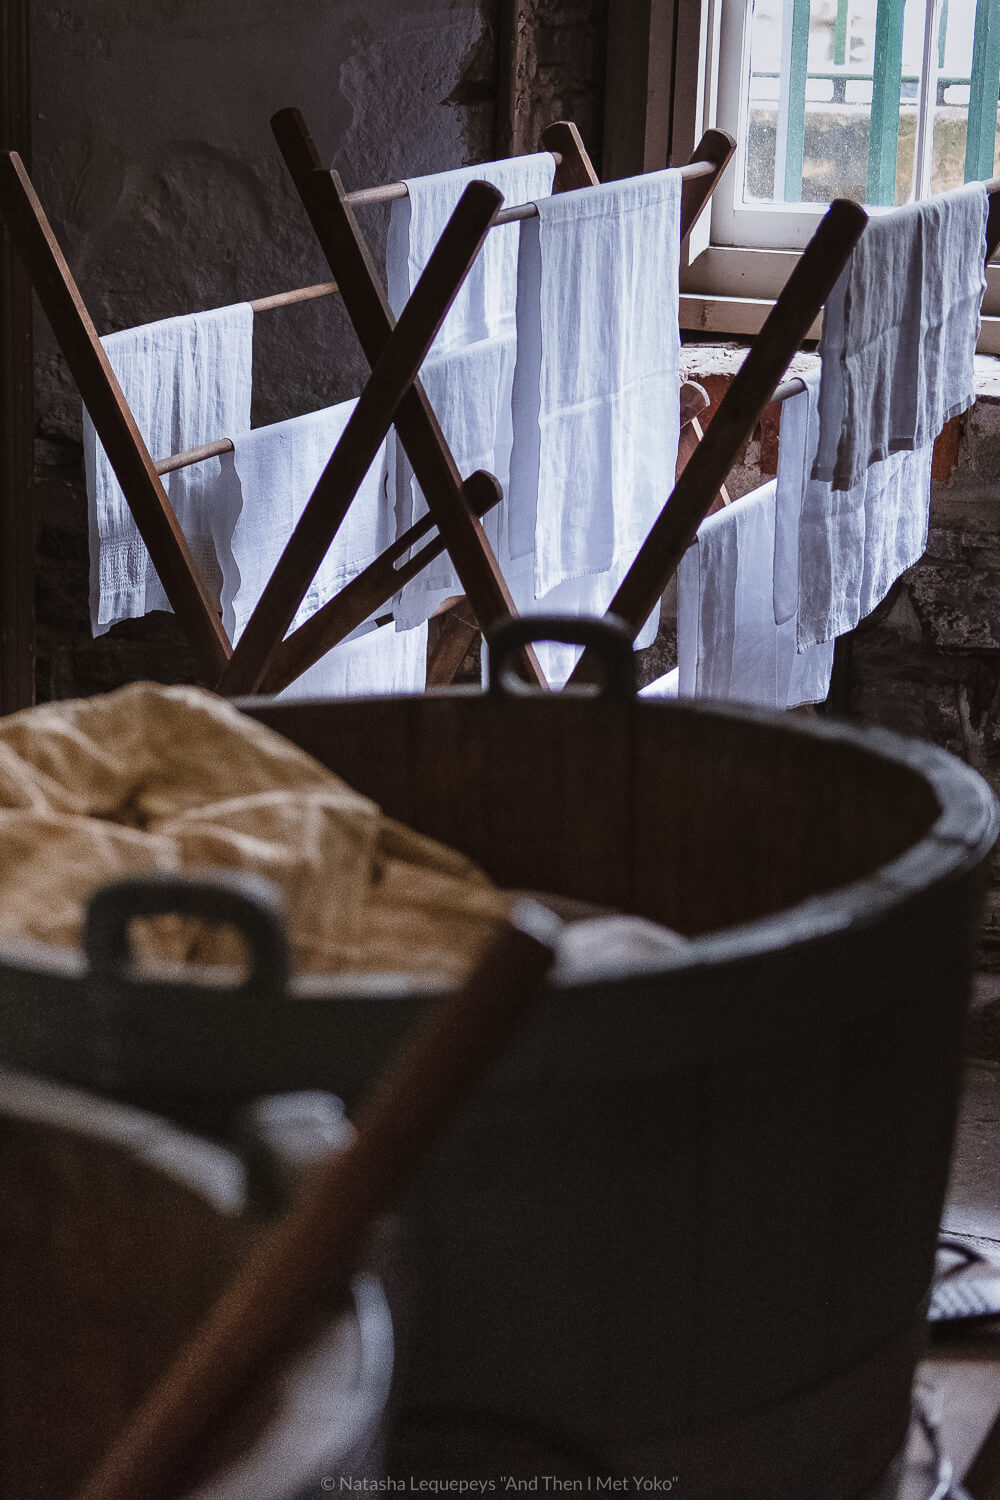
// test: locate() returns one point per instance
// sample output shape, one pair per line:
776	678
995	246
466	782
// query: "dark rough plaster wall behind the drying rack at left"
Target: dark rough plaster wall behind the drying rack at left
154	157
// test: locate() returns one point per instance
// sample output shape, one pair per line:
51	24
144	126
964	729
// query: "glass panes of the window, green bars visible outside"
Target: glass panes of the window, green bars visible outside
834	94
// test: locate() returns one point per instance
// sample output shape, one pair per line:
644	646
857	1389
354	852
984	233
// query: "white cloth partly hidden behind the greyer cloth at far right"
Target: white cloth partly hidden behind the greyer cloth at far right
839	551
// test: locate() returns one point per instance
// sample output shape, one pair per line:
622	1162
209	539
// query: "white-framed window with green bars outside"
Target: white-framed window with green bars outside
879	101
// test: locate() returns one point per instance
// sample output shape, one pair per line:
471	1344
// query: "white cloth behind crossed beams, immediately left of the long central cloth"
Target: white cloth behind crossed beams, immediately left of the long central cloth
470	371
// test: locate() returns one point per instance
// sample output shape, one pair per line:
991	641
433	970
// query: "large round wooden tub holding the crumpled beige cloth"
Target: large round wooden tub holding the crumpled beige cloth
689	1225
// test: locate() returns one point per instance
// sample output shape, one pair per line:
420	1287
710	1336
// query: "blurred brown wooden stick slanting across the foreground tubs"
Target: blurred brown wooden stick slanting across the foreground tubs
316	1246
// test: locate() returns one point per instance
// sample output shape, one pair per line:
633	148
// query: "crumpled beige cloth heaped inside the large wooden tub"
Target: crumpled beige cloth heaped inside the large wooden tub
176	779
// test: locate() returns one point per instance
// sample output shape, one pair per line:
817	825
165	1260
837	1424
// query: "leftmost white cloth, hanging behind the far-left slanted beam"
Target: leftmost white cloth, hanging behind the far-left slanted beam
187	382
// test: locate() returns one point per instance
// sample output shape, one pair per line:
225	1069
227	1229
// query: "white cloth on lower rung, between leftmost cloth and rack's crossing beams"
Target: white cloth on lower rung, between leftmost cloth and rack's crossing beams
272	473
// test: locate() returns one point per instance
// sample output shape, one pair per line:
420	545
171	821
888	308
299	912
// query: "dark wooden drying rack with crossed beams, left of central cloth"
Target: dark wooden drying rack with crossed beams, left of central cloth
266	659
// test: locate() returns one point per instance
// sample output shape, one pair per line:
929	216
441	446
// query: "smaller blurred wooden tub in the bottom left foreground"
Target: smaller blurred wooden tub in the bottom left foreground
118	1232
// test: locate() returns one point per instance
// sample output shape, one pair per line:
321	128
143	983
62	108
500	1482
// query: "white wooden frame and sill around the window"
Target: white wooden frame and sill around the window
731	287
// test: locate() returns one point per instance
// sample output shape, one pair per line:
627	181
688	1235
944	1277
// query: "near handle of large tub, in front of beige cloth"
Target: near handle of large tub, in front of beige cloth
245	902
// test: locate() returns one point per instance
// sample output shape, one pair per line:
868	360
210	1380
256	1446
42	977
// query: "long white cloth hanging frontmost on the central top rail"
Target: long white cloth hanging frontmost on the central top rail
596	394
